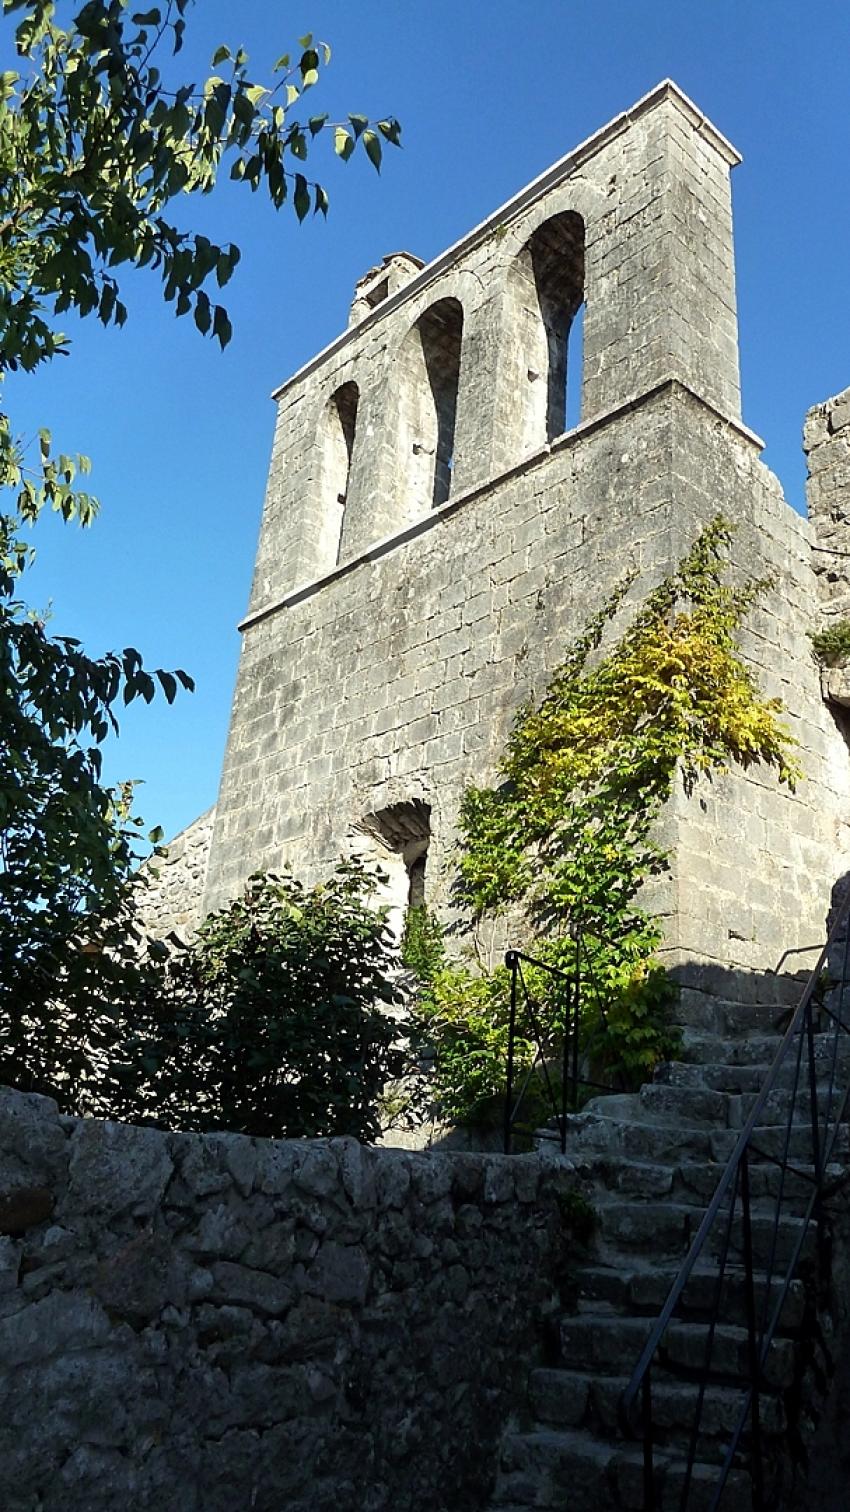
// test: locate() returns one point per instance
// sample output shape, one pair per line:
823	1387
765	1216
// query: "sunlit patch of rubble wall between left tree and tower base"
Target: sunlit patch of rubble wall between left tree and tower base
172	887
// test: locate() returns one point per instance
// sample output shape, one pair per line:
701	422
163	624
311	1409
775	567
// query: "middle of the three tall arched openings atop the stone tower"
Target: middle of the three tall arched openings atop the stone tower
429	388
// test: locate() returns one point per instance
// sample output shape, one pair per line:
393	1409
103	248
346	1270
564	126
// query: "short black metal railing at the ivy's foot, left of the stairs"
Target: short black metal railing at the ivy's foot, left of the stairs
579	985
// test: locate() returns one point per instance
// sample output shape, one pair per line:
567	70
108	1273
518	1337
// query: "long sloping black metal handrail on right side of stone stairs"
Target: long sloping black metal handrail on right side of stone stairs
733	1198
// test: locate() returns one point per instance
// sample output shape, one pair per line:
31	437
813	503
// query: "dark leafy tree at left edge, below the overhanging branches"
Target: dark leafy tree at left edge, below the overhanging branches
67	843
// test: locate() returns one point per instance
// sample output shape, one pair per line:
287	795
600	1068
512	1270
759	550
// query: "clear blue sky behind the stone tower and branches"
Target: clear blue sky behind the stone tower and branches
489	94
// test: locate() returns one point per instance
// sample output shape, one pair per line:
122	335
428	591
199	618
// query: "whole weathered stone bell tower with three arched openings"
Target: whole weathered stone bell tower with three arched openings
433	539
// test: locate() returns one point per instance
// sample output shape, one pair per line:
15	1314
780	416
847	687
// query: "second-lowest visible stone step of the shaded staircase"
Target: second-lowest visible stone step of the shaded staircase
572	1399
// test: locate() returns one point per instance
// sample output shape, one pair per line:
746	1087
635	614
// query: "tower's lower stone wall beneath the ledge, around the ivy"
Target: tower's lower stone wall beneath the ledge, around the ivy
436	642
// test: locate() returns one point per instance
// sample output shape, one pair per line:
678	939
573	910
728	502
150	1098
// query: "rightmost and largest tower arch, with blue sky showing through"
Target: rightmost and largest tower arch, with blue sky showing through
547	283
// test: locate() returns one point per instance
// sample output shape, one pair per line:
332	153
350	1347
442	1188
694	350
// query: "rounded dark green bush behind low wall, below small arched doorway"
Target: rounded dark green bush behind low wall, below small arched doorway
278	1020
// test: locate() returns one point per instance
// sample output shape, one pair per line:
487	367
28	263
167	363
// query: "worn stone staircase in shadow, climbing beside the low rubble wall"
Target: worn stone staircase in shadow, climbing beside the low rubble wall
653	1162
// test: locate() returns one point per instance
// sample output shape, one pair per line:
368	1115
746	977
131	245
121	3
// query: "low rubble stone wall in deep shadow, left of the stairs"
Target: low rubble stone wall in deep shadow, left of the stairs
209	1324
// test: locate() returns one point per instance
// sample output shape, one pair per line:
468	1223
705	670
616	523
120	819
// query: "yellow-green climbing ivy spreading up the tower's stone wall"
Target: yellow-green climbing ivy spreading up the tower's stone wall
566	837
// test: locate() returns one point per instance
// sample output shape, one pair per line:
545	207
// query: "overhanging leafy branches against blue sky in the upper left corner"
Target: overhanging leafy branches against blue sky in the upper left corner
96	144
